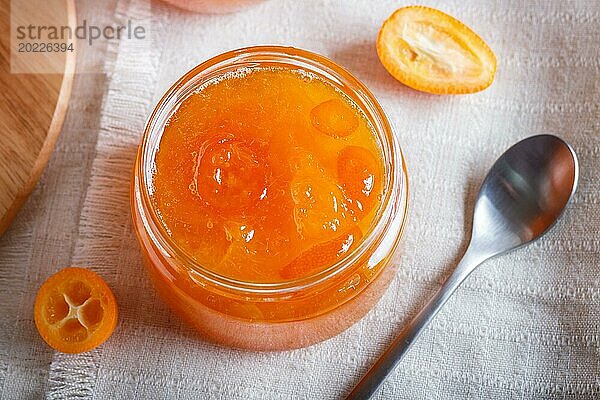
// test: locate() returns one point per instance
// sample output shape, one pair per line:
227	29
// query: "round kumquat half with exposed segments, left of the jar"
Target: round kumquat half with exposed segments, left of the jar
75	310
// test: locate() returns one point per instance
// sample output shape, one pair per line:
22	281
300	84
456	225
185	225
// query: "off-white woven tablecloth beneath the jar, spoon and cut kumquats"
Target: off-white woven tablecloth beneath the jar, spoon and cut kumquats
524	326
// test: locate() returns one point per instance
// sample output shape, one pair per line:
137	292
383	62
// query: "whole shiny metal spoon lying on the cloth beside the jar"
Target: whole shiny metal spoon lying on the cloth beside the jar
522	196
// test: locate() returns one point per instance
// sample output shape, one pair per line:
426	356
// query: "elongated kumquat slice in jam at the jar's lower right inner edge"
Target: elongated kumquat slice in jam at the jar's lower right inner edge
323	254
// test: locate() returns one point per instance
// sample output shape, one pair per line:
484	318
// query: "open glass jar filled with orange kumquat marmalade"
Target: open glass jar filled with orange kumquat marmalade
269	195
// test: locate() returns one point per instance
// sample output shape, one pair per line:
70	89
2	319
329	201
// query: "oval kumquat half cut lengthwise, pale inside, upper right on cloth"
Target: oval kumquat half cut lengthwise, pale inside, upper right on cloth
433	52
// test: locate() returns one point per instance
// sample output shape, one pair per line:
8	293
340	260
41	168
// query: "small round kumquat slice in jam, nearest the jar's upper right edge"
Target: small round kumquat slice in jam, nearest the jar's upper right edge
334	118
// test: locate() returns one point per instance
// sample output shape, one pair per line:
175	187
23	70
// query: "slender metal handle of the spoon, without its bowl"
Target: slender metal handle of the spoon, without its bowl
373	379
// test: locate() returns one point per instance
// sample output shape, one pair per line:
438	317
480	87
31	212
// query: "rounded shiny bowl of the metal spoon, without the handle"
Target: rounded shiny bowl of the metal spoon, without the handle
524	194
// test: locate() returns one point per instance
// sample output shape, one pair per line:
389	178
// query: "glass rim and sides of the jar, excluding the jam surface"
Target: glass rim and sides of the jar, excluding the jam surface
272	316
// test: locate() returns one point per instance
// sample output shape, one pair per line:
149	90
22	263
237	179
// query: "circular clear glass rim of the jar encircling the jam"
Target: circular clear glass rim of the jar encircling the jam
252	57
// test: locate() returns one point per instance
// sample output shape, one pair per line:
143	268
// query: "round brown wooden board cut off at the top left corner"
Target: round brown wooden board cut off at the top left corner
32	111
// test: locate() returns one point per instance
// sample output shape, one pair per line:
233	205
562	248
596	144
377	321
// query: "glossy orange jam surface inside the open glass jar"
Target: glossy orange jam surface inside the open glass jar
267	175
